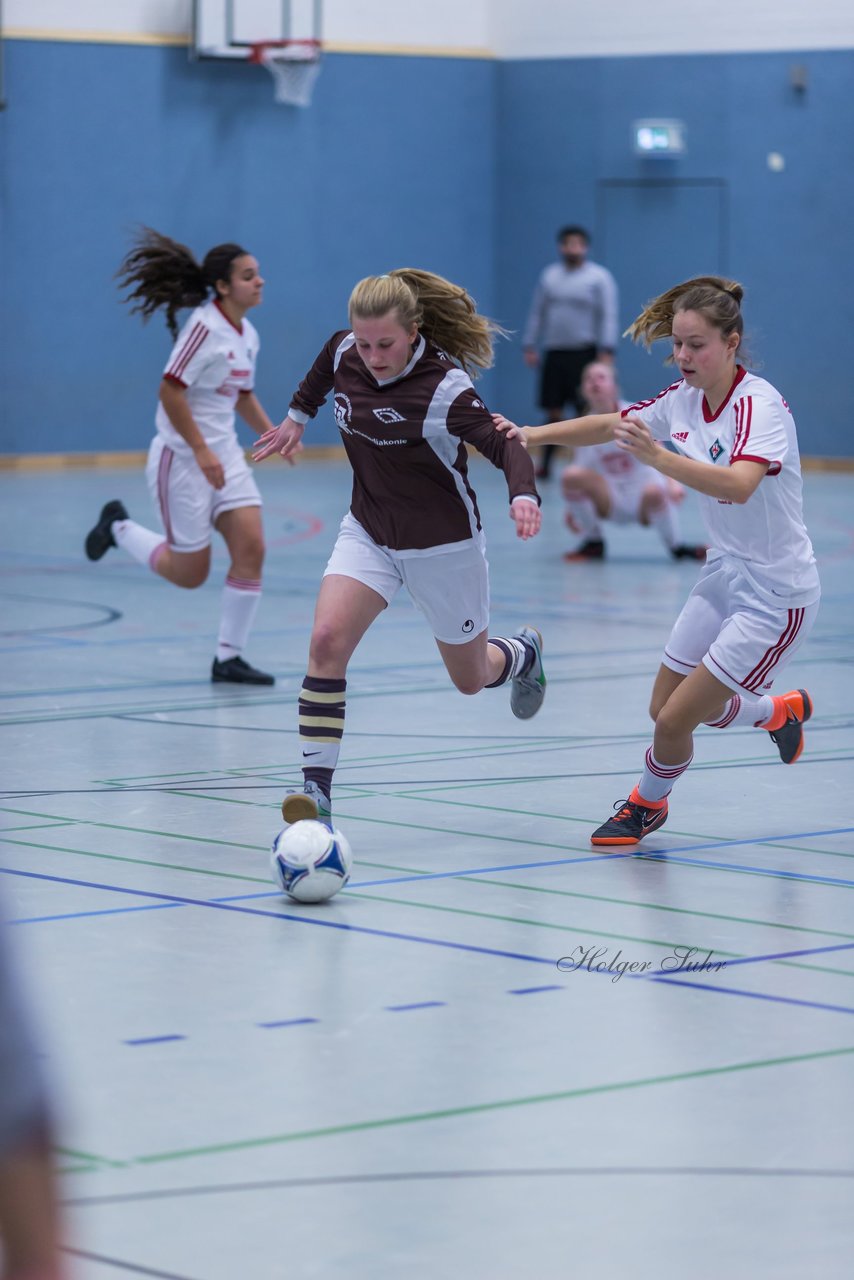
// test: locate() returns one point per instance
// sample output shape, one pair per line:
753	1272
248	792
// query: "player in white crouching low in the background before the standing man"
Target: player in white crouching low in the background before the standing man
608	483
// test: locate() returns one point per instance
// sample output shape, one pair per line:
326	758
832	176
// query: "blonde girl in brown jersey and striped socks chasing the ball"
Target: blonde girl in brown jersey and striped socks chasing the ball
407	409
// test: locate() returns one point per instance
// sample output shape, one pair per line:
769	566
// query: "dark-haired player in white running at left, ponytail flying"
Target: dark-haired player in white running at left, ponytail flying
198	474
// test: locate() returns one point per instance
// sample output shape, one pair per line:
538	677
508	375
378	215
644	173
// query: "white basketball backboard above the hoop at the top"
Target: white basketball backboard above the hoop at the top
230	29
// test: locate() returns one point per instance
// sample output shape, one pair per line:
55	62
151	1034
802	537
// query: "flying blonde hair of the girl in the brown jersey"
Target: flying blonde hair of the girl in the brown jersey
444	312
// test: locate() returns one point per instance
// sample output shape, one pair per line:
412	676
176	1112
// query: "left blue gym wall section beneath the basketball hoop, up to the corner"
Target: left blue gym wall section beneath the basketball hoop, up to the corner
392	166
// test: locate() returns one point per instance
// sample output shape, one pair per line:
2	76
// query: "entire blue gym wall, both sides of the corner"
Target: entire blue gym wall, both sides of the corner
465	167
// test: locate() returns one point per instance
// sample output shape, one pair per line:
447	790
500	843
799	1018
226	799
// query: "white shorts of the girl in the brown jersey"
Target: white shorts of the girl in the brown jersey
451	588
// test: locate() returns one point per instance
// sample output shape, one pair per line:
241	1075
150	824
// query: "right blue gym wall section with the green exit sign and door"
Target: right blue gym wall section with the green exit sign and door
565	141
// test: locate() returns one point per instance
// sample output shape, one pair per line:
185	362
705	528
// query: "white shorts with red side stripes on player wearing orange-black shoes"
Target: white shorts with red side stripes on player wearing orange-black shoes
741	639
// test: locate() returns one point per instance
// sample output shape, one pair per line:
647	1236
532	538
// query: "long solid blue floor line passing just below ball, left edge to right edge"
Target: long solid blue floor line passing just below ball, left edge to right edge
399	938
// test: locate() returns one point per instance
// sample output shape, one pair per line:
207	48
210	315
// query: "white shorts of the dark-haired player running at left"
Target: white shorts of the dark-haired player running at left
188	504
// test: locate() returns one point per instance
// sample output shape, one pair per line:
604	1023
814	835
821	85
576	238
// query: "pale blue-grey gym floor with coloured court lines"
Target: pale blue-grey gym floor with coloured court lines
404	1082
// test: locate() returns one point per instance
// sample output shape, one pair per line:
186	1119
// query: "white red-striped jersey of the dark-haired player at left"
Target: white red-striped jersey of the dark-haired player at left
214	362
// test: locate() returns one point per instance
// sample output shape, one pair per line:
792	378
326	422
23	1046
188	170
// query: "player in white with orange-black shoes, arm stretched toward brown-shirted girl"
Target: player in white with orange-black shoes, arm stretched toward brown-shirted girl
757	596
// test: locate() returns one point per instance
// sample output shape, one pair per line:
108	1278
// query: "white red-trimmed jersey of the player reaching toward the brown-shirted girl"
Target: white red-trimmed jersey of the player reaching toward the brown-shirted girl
766	534
